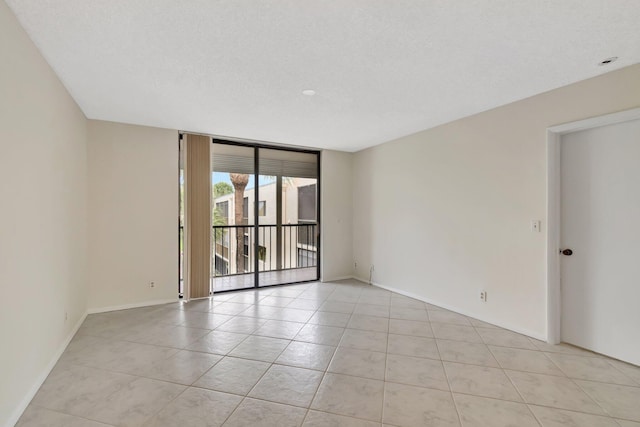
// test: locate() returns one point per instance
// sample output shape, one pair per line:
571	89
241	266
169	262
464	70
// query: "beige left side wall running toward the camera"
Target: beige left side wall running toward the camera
43	172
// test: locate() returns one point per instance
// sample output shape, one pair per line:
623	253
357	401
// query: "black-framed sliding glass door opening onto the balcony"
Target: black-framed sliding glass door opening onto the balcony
265	216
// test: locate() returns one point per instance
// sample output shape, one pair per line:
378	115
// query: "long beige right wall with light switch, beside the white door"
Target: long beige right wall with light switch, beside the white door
446	212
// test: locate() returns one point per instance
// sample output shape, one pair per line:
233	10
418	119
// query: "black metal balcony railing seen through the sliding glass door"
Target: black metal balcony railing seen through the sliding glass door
280	247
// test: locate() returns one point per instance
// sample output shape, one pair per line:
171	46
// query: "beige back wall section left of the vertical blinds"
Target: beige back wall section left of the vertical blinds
133	215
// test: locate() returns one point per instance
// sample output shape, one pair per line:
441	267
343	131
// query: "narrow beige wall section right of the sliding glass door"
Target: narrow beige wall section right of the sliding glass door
337	218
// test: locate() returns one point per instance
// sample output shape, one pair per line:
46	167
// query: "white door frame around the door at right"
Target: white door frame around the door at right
554	203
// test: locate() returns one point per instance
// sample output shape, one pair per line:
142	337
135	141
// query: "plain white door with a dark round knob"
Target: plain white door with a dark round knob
601	225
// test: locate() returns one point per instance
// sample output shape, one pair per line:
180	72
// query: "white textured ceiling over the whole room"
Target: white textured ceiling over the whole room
381	68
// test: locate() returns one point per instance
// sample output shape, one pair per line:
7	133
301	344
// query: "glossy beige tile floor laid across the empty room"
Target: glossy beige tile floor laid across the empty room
324	354
